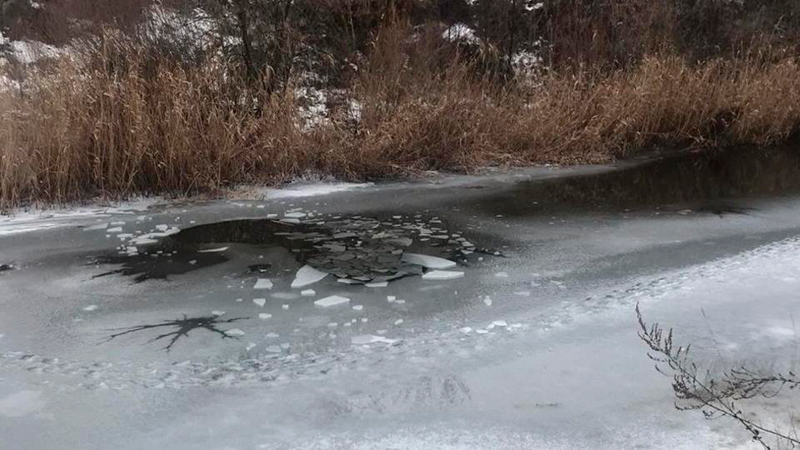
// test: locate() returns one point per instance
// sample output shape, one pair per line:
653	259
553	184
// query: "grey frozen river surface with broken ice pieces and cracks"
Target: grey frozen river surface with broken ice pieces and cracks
532	345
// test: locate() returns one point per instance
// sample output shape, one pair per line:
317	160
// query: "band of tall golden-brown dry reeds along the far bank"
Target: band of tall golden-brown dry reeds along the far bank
97	125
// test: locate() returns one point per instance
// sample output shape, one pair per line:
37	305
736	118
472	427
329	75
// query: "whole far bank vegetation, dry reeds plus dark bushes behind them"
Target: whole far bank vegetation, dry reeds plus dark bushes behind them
379	90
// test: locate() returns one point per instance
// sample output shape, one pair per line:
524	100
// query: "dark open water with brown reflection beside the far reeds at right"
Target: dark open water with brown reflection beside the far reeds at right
708	181
